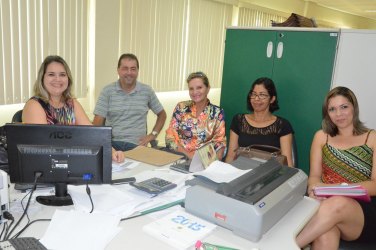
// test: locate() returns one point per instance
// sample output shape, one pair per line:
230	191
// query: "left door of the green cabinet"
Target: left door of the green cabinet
245	59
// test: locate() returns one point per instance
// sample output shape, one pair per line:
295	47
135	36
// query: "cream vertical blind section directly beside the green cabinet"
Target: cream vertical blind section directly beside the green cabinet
206	39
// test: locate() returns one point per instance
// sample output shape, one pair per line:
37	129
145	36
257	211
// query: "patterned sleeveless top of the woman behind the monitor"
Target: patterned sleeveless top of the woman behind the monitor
63	116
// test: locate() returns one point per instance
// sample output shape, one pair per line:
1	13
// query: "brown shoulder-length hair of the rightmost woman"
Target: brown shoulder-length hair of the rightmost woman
328	126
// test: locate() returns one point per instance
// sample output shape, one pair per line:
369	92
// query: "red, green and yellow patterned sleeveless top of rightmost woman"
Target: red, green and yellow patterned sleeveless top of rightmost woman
346	165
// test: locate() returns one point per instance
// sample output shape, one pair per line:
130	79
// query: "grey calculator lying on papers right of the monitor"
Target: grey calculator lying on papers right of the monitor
154	185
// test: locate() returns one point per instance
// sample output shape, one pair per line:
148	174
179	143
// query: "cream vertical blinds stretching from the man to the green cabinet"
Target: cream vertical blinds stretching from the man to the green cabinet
172	38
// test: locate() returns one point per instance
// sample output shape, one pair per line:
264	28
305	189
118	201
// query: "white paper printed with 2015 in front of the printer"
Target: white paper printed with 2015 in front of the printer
179	229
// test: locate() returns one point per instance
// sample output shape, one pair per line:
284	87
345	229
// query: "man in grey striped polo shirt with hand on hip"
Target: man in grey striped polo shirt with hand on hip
124	105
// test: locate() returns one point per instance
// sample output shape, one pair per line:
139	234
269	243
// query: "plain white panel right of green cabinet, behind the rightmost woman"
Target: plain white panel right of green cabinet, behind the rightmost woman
355	69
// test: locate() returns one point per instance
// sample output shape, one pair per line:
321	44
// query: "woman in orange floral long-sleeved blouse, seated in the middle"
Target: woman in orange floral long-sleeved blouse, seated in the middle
197	121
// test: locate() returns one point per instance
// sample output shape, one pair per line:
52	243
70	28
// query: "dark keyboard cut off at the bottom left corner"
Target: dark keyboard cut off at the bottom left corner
22	244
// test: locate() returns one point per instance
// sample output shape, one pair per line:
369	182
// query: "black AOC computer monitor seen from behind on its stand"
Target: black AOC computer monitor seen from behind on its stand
61	154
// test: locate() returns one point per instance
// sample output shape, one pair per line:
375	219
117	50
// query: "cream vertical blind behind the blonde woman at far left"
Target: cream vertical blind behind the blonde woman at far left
32	30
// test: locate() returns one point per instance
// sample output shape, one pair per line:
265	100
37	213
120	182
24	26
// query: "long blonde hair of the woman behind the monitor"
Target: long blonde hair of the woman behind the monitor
39	88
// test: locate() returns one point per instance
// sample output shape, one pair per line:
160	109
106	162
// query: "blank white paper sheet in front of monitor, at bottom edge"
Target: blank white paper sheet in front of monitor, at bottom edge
75	230
